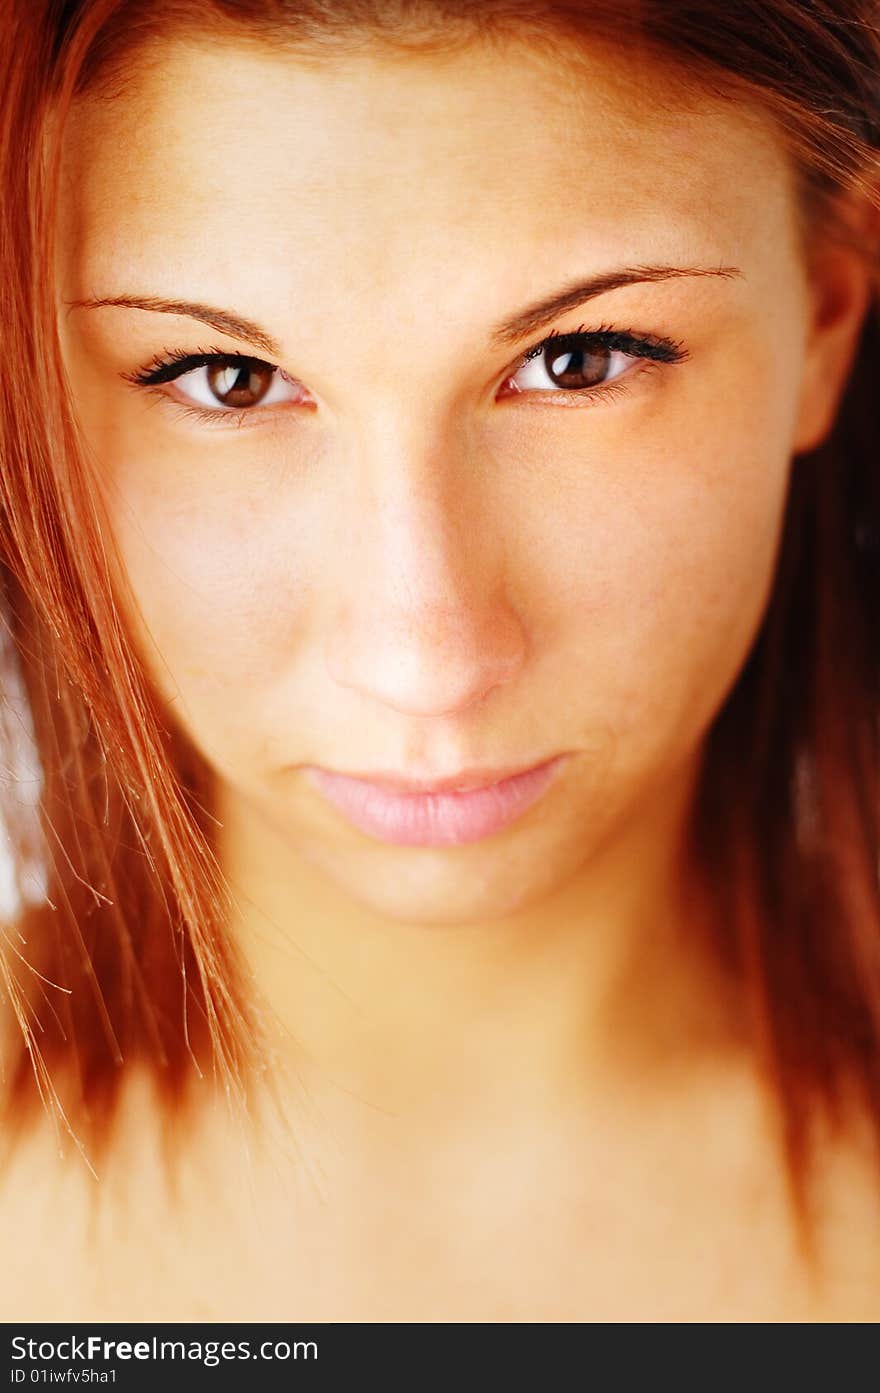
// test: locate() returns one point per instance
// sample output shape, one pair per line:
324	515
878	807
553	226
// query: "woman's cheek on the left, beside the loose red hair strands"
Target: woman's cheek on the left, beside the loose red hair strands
221	582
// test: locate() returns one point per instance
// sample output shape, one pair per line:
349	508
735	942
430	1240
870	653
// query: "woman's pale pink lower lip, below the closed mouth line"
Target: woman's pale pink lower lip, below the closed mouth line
434	820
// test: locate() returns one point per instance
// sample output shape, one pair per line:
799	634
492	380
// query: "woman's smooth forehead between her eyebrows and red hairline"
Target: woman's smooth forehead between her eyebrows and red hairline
222	166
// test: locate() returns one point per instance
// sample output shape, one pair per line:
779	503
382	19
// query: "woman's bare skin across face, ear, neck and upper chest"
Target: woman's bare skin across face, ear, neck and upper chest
514	1089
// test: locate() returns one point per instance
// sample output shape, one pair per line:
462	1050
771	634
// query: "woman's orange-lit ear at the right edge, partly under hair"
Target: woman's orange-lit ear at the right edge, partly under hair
842	282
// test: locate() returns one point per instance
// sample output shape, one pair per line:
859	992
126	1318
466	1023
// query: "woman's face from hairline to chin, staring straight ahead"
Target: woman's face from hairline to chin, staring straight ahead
411	550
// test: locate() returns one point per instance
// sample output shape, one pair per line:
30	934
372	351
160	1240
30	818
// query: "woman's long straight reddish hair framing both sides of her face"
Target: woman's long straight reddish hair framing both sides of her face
126	959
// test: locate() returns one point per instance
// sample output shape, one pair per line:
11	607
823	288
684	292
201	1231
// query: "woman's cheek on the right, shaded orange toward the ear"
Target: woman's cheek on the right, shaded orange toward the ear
662	566
